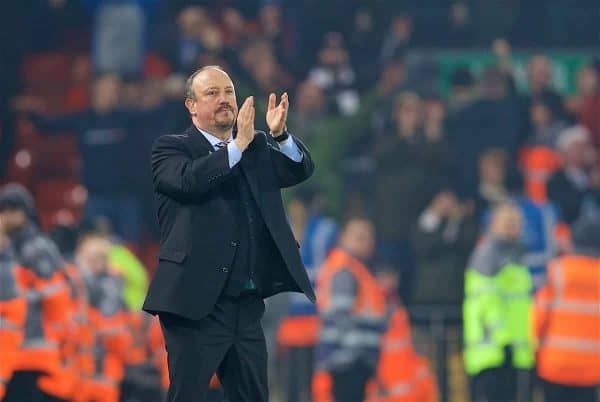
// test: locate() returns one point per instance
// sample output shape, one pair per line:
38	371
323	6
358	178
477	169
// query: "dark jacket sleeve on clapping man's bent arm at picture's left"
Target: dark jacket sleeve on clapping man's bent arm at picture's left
177	175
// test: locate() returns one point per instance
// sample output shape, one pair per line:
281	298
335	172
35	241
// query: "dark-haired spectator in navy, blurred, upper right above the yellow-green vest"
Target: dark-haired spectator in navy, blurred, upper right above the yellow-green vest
490	122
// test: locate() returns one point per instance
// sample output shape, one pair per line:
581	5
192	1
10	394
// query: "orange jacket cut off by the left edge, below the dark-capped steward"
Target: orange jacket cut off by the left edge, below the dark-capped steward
13	308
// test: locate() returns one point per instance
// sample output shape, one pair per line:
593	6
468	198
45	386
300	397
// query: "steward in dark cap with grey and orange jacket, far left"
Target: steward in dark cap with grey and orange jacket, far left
39	372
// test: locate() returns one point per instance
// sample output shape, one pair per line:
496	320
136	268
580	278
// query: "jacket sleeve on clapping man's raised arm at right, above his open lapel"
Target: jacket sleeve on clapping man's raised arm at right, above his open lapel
288	172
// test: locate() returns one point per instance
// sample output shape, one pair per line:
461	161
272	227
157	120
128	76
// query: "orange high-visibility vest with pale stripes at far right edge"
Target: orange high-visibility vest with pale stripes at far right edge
567	322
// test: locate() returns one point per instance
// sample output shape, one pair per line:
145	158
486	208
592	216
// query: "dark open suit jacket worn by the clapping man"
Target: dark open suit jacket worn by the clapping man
198	228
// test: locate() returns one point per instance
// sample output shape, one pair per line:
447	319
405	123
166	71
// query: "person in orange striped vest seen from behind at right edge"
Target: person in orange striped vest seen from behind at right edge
567	321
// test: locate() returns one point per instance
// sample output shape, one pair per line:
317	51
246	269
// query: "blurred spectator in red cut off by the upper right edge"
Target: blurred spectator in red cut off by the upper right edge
586	106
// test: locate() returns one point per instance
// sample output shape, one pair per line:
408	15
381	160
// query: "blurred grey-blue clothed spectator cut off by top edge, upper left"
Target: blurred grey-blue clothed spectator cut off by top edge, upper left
119	37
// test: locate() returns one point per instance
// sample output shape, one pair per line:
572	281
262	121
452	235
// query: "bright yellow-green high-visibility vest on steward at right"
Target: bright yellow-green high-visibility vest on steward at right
497	314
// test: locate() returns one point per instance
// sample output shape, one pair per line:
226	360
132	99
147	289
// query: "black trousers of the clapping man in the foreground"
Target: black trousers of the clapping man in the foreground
229	342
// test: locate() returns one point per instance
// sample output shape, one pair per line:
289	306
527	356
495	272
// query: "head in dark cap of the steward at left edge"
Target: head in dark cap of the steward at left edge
16	207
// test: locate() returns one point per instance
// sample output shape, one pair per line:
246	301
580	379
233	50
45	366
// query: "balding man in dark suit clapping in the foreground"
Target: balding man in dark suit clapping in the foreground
225	240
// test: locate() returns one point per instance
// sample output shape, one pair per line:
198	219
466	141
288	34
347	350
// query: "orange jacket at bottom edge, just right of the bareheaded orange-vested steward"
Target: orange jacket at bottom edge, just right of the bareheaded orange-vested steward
402	375
